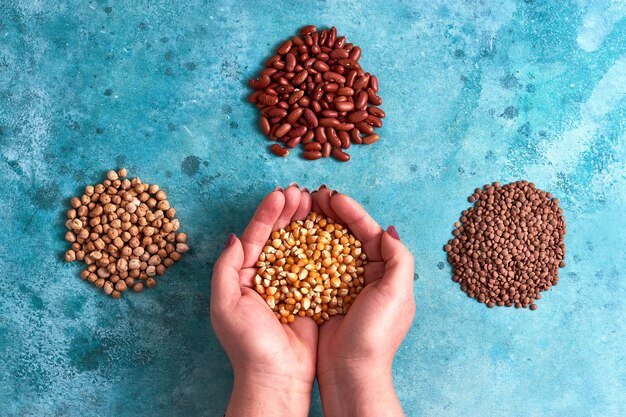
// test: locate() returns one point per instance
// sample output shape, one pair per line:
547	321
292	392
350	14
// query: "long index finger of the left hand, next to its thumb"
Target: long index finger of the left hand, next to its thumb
258	231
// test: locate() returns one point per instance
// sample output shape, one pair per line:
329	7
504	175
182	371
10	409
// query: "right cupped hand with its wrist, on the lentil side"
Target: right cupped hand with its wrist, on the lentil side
356	351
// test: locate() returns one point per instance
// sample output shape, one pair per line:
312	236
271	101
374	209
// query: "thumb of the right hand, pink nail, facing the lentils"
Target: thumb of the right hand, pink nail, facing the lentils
398	265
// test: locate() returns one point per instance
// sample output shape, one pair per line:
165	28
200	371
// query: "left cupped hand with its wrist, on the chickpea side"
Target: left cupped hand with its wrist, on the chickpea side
273	363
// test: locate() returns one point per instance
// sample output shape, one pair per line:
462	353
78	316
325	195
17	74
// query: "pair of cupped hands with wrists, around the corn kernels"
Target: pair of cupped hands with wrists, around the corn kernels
275	364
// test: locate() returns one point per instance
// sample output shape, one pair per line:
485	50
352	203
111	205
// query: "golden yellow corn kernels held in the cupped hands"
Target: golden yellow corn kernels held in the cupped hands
311	268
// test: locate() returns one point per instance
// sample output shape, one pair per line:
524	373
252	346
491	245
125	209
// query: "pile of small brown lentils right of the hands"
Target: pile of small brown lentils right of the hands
509	246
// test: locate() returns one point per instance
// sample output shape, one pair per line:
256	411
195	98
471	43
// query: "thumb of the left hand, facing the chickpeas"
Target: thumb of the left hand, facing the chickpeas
225	280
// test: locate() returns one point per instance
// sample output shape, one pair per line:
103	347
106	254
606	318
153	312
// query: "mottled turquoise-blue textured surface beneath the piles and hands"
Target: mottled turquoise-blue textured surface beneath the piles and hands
474	92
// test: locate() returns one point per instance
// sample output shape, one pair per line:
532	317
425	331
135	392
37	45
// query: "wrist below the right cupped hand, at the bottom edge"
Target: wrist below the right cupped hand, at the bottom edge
360	391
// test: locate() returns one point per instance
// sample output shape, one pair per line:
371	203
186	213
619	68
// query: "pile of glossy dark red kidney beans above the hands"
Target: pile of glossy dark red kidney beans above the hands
314	92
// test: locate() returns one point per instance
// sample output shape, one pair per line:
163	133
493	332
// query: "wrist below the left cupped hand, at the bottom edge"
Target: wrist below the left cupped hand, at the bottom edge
268	394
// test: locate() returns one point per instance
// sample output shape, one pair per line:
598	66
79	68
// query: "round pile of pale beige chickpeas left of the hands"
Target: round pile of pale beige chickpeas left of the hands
126	233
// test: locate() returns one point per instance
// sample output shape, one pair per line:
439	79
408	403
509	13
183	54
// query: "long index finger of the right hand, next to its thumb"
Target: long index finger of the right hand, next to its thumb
352	215
